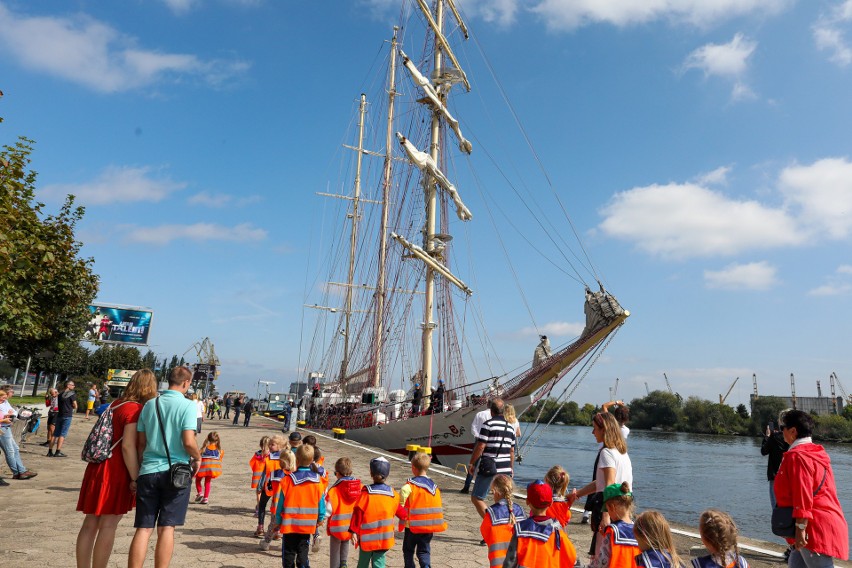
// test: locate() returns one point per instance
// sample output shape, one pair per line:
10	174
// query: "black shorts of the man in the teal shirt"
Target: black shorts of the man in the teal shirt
158	503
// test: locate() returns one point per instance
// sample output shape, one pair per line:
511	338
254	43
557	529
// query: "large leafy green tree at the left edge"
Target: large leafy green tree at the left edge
45	285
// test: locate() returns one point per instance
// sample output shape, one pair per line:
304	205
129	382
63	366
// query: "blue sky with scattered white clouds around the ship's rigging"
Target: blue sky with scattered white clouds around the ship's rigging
702	147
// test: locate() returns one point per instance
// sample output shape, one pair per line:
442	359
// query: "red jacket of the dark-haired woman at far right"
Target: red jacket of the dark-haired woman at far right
800	474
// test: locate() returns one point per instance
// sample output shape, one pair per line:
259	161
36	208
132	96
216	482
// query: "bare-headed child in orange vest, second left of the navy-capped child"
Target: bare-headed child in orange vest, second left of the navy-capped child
299	505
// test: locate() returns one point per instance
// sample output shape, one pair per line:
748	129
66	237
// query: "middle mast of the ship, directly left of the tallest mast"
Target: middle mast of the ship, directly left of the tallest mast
378	331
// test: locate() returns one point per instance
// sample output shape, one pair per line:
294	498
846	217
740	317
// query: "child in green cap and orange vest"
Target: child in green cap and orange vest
619	548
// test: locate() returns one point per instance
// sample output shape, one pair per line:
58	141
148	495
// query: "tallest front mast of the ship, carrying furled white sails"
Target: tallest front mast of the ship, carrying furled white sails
431	215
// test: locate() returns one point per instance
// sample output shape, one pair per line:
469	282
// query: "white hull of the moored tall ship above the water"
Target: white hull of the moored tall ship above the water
447	433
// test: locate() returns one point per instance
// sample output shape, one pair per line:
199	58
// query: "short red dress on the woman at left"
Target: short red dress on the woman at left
106	486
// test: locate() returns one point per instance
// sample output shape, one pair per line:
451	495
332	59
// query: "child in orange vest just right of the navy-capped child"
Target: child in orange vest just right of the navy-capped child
421	499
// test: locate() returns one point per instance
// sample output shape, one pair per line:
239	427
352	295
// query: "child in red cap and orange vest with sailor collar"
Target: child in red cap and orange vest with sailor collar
538	540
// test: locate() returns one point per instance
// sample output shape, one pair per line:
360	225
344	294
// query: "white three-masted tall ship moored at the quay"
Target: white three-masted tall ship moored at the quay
393	309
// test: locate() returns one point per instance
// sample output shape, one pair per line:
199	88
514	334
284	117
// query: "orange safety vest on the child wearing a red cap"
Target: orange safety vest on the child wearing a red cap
544	545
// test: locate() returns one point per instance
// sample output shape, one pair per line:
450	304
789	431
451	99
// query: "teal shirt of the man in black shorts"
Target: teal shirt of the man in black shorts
178	415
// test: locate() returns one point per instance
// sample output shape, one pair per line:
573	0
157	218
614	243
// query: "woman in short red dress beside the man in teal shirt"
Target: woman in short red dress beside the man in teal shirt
108	490
